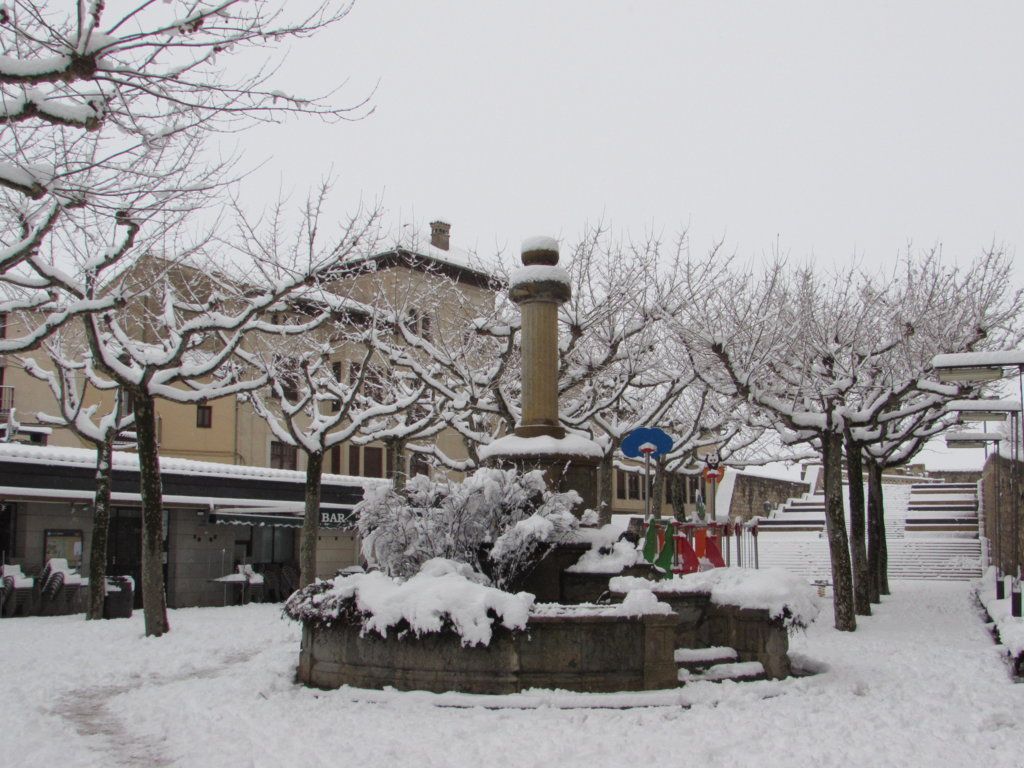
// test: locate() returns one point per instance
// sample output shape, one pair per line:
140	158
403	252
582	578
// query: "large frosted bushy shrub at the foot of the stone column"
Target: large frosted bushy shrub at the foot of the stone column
498	522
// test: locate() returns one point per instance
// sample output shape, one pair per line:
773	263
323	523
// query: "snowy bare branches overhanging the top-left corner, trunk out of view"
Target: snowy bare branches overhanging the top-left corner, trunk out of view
97	100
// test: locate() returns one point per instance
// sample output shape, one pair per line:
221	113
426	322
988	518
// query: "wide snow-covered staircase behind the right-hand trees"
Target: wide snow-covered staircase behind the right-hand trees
931	533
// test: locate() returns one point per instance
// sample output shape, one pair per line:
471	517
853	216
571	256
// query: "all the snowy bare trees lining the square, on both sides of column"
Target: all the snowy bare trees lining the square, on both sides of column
106	176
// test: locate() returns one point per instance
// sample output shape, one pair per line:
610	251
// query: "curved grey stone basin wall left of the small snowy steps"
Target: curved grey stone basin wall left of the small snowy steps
573	653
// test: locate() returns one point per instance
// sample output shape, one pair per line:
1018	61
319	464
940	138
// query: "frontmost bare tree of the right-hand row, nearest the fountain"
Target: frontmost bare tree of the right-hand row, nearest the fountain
791	346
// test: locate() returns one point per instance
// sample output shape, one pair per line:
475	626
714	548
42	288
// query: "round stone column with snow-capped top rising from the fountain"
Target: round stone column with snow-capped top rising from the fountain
569	461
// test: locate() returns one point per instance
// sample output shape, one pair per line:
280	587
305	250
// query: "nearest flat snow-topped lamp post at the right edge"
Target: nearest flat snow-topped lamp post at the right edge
983	367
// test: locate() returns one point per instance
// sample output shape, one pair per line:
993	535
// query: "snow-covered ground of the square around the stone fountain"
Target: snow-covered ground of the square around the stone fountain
920	684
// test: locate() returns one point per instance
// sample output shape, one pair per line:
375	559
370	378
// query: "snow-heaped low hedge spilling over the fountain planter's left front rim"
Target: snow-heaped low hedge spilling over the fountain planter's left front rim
444	595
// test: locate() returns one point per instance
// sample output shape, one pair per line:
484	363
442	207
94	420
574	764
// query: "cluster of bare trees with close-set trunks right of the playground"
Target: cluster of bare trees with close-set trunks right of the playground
842	363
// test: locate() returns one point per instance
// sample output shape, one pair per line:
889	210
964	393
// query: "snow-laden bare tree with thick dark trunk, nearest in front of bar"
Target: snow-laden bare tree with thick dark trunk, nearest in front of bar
174	336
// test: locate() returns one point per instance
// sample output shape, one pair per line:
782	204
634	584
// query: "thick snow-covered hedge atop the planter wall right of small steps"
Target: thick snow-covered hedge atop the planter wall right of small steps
783	594
